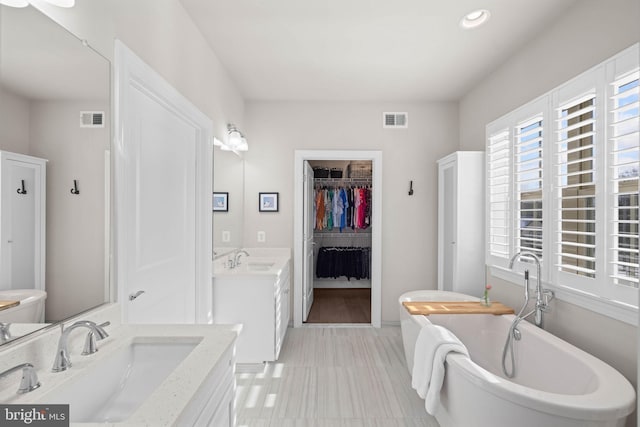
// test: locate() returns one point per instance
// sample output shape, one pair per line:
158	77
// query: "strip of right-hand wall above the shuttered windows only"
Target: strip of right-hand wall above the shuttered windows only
590	31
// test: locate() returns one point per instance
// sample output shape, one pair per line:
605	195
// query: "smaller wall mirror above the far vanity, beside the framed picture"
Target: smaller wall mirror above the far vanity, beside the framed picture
228	177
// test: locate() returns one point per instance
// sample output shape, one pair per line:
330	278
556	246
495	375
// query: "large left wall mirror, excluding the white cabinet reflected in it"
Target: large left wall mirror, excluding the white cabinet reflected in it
55	105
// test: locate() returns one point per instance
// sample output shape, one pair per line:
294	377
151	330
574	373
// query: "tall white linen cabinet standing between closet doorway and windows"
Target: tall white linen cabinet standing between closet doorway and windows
461	212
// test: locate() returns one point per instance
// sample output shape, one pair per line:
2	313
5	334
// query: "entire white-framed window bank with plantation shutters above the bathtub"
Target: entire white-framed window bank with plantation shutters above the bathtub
562	182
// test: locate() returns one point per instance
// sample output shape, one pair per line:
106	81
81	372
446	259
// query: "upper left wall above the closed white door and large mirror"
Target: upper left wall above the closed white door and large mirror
163	35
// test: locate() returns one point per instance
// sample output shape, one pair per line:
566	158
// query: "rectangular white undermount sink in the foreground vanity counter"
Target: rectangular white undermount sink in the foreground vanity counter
114	389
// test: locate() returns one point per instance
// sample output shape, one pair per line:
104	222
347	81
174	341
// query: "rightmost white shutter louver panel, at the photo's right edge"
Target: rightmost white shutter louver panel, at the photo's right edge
623	179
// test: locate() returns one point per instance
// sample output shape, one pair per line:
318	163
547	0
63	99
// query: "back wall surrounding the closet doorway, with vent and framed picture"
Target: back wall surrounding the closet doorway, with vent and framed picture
276	129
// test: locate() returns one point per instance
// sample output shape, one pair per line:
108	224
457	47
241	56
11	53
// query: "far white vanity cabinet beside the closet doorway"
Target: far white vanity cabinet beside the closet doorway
259	300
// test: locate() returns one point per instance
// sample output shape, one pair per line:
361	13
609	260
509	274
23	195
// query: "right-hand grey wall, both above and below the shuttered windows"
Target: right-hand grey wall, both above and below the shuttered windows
590	32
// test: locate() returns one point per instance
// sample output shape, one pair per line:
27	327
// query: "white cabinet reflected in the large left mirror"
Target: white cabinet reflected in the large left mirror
22	221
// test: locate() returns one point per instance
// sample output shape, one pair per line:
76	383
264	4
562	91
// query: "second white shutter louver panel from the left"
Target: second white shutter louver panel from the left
528	182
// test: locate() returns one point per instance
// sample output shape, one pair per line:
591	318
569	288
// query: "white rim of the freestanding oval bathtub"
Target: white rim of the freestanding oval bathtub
589	406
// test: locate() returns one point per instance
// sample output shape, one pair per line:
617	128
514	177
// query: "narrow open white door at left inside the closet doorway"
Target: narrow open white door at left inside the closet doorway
309	218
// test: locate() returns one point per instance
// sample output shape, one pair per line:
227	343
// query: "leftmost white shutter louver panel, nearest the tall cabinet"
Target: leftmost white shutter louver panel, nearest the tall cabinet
499	172
